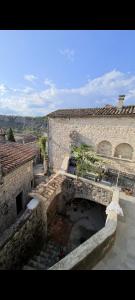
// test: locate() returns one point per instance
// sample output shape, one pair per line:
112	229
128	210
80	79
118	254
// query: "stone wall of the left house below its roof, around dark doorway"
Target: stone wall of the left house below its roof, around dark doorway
14	183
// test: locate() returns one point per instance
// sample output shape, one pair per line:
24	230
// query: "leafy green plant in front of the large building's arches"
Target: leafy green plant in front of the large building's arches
87	161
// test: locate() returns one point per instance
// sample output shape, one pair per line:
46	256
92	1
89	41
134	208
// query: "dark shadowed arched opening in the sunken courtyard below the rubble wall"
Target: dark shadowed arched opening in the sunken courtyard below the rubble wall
74	220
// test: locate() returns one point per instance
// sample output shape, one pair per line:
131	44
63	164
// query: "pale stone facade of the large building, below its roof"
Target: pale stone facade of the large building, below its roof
91	131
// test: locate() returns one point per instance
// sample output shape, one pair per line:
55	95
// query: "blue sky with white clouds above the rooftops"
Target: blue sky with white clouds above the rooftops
45	70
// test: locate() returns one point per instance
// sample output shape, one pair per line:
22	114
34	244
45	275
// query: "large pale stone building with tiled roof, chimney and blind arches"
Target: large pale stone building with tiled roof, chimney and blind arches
111	130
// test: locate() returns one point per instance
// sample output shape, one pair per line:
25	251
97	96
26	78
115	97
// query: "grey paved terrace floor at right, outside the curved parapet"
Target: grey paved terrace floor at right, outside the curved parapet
122	254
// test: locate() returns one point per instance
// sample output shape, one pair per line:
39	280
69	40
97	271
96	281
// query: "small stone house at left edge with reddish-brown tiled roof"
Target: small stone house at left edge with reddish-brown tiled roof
16	181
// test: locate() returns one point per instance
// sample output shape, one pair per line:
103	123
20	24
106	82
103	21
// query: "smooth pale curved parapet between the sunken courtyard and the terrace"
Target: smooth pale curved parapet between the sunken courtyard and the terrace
87	255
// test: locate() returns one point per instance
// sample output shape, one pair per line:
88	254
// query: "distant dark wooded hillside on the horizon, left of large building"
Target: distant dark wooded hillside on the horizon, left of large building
35	125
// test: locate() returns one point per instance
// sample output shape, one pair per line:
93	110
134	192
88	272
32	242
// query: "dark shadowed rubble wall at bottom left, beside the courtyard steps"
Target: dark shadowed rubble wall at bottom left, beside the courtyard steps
21	240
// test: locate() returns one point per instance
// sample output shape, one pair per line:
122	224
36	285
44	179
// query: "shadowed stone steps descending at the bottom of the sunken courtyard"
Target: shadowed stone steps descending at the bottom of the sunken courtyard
48	256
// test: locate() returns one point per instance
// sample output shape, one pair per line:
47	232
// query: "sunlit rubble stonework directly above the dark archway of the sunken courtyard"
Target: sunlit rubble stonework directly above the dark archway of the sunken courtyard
64	187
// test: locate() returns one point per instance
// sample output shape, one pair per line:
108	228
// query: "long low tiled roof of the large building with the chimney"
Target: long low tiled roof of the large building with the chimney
92	112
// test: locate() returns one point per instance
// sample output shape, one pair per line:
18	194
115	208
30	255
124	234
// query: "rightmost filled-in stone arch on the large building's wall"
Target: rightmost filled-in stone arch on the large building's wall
125	150
